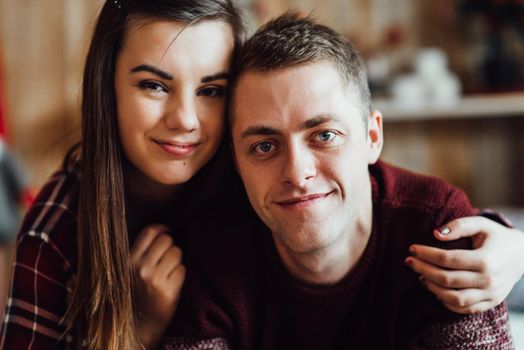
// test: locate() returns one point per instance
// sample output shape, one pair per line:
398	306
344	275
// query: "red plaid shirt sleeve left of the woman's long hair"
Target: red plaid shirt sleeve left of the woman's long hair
44	269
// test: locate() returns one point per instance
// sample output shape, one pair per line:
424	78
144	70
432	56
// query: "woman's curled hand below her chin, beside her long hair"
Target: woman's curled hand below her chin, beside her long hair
159	276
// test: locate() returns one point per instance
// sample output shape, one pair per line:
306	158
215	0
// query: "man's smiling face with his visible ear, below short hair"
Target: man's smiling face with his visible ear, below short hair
303	151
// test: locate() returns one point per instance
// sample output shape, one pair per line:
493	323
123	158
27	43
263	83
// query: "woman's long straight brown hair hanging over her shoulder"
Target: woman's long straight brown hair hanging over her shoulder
101	312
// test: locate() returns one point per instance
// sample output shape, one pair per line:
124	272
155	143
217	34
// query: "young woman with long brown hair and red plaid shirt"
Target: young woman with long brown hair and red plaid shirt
87	272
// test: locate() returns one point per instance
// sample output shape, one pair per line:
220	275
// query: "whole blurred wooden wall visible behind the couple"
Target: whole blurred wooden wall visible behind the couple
43	44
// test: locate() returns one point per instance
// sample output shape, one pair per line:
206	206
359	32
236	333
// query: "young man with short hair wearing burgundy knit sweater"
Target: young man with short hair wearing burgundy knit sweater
325	267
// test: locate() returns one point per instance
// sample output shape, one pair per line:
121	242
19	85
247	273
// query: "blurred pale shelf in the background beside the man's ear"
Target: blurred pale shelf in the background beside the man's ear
472	106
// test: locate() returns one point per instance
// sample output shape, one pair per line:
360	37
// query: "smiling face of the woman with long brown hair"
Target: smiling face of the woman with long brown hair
170	84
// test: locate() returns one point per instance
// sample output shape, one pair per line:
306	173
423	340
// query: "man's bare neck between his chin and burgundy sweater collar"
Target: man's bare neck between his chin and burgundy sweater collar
329	265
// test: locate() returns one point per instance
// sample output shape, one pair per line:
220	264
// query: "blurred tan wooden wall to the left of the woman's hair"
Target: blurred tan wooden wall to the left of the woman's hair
43	44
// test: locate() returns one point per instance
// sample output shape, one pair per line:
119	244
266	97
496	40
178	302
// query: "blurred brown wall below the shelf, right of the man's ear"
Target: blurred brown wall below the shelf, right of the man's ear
483	156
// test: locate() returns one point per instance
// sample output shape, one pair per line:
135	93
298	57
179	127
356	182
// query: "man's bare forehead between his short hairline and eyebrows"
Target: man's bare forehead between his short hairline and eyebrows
295	90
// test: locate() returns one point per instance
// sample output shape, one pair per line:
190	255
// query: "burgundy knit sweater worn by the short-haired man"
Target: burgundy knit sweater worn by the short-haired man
239	295
